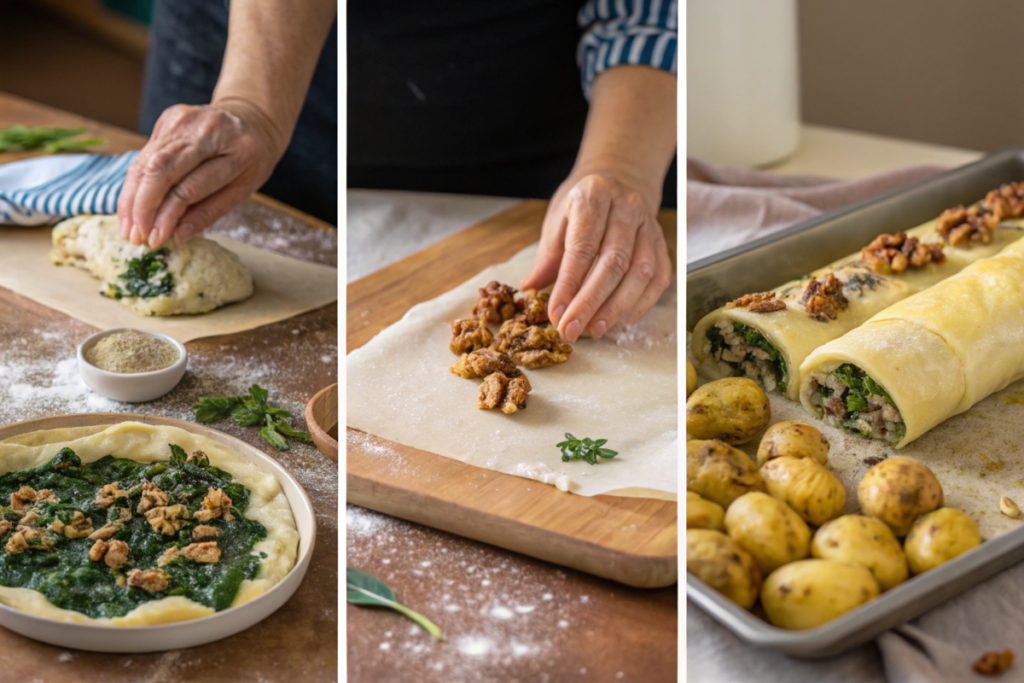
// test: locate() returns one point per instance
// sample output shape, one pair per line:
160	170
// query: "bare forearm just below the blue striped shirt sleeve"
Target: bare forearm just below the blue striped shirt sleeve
631	129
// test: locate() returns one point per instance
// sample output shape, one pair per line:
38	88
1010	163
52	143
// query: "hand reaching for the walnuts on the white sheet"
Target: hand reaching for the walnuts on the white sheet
603	241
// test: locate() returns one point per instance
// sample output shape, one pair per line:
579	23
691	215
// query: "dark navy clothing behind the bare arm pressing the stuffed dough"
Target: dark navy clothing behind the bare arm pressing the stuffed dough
187	48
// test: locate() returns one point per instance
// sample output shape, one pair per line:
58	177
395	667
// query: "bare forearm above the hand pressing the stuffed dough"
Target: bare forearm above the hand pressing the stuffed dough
273	50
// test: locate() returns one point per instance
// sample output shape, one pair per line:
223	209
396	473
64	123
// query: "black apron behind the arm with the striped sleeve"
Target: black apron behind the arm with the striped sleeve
465	97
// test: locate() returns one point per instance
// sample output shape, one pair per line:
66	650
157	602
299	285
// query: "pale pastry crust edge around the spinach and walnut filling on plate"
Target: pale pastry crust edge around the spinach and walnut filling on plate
150	444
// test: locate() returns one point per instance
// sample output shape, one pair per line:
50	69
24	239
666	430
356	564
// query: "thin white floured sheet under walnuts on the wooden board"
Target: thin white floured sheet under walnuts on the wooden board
622	388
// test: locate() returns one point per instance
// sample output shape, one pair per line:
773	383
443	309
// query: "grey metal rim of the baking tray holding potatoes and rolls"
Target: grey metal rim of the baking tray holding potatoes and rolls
765	264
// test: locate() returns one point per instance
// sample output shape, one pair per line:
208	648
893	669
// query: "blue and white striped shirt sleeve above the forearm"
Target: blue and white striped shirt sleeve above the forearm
627	32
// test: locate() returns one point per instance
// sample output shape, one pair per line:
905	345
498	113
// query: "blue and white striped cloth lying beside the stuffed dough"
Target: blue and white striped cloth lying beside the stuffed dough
44	191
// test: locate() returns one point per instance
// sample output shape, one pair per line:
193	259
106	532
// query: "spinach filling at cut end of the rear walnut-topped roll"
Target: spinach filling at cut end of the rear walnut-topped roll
749	354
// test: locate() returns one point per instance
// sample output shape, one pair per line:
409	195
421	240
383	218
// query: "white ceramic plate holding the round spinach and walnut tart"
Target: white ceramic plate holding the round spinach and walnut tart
181	634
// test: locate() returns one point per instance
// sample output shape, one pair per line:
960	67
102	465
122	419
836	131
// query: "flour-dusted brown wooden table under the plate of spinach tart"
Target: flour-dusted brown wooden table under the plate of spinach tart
293	359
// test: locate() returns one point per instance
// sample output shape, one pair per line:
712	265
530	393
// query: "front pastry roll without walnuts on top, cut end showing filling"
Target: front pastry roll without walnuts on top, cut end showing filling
926	359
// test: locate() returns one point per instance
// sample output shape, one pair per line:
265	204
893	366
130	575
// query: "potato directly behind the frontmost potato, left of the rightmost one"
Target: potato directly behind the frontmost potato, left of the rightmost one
864	541
